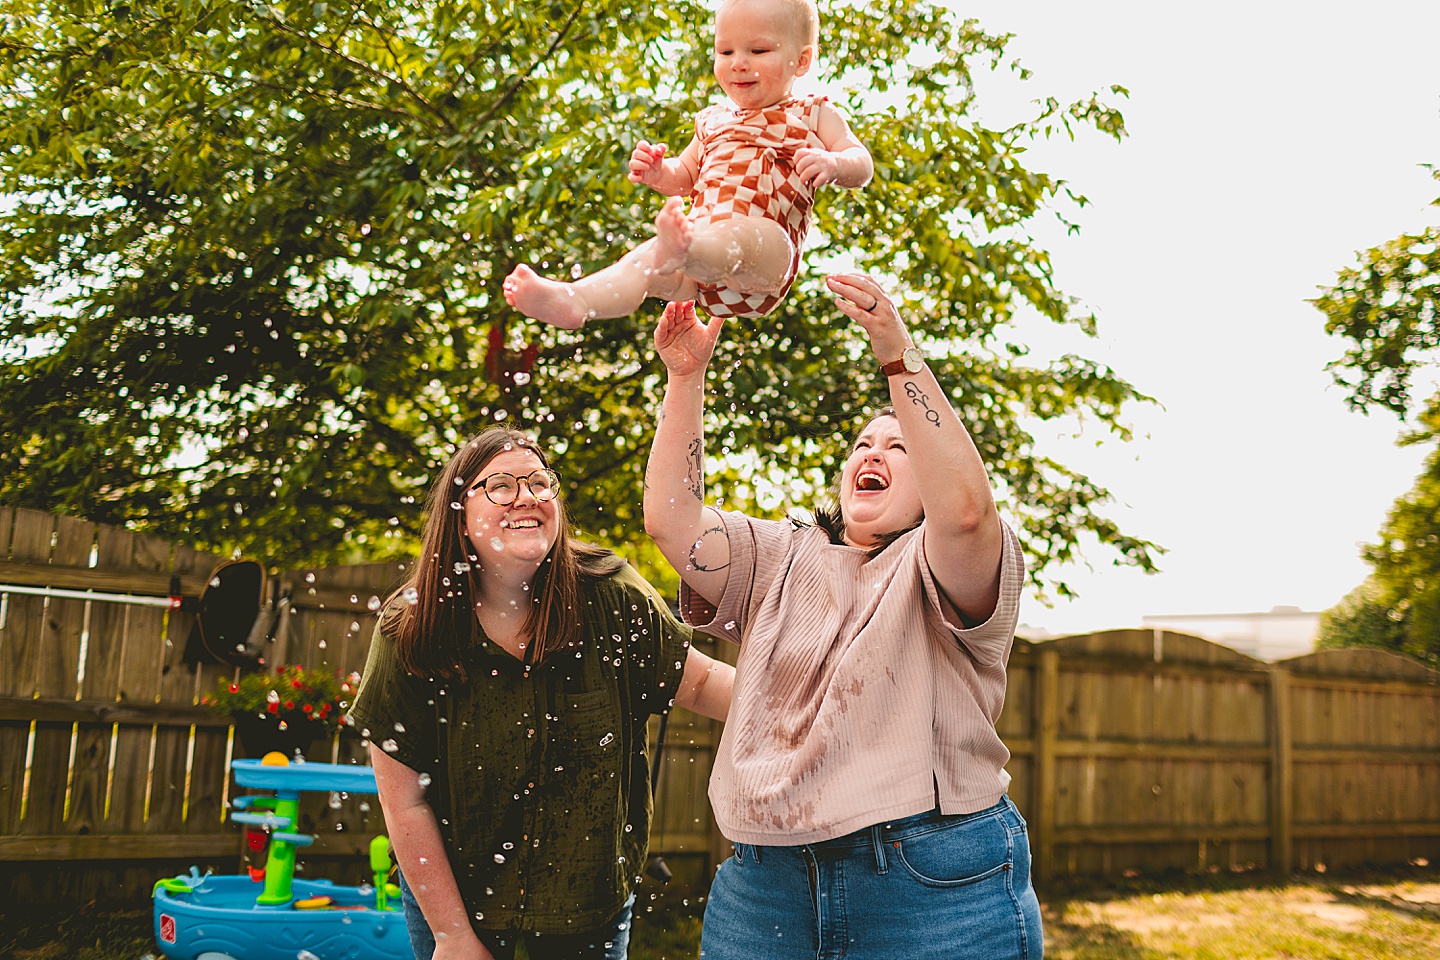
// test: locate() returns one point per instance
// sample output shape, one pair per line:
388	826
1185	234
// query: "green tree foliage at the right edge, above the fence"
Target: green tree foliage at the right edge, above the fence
1389	307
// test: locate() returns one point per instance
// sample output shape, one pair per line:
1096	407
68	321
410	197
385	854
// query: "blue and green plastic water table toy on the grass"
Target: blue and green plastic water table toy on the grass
267	915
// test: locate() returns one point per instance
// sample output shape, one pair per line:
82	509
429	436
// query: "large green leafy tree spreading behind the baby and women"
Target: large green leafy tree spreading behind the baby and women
254	258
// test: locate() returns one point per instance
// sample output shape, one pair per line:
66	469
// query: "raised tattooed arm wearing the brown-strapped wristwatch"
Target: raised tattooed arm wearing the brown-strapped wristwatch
963	540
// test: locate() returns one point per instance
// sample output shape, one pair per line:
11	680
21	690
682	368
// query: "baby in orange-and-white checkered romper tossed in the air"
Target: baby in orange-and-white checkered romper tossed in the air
751	173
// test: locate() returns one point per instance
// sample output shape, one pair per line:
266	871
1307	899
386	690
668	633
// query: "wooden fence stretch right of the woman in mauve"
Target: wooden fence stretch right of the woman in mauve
1150	751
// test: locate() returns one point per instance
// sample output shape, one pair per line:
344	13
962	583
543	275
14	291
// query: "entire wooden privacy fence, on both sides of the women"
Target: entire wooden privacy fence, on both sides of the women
1131	749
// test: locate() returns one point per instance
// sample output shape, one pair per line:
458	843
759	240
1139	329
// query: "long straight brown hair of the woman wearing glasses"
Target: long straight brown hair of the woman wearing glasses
431	615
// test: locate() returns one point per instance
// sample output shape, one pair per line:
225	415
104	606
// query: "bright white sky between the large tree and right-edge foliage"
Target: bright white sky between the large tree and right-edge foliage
1269	143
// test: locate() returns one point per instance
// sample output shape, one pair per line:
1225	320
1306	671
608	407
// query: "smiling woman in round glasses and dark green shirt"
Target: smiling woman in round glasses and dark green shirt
505	700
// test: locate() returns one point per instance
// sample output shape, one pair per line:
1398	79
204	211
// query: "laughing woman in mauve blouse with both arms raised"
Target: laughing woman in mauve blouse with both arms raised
860	775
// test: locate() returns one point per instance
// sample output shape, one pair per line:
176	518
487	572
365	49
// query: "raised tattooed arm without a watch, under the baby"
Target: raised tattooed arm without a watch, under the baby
690	535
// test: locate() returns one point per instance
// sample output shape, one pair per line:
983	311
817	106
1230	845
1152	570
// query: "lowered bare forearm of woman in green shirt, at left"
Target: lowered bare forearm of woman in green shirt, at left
415	837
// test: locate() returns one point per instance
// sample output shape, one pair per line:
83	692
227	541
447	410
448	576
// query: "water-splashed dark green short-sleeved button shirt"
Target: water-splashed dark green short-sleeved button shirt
541	778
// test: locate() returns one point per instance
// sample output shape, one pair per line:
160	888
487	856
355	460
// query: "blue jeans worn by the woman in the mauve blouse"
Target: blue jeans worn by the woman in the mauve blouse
927	887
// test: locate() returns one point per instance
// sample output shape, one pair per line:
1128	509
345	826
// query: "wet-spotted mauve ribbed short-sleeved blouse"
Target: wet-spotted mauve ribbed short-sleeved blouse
858	699
